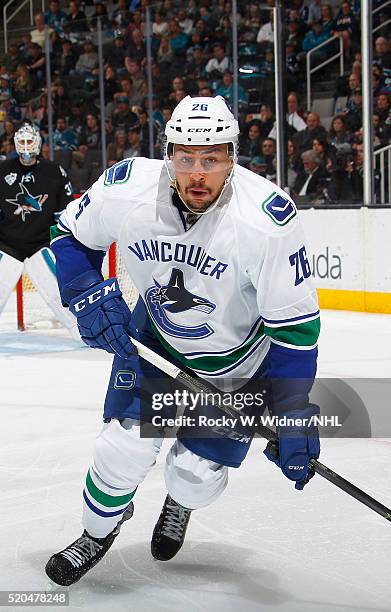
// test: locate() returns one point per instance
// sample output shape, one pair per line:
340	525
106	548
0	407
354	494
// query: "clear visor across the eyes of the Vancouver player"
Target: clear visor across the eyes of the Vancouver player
200	162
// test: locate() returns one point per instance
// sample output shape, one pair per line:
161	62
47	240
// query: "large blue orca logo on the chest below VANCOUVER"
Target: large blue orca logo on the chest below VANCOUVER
174	298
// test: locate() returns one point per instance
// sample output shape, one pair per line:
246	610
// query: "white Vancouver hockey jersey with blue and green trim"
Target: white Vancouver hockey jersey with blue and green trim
219	292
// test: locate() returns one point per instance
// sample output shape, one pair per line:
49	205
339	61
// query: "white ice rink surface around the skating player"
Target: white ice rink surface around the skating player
261	546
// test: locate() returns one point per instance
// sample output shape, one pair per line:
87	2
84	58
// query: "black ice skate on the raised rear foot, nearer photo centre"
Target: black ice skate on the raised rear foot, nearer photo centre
170	530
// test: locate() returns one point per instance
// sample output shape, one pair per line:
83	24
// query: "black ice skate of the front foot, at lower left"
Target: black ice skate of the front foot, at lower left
70	564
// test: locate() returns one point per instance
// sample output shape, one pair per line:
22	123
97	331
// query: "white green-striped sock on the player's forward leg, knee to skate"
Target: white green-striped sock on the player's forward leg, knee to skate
121	461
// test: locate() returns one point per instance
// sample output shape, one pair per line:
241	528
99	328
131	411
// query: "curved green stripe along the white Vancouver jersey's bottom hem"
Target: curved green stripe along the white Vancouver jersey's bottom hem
210	363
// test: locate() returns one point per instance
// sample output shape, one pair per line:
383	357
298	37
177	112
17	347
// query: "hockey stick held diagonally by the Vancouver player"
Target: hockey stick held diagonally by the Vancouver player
196	385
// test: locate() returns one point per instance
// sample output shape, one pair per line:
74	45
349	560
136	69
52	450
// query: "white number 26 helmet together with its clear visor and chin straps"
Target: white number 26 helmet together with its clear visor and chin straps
201	121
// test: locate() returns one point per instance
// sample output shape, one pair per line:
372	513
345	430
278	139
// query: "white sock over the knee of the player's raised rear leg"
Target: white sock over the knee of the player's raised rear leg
194	482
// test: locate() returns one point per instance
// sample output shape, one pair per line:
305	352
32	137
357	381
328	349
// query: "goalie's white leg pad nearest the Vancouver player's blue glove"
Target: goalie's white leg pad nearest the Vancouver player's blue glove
41	267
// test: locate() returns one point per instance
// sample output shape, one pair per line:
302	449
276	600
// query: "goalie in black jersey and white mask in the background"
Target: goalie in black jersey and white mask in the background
33	191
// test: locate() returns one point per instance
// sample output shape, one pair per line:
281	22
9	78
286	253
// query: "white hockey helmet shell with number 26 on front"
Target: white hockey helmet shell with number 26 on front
201	121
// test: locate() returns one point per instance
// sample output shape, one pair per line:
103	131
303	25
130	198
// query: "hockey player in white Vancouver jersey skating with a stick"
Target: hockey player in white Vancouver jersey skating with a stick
218	256
